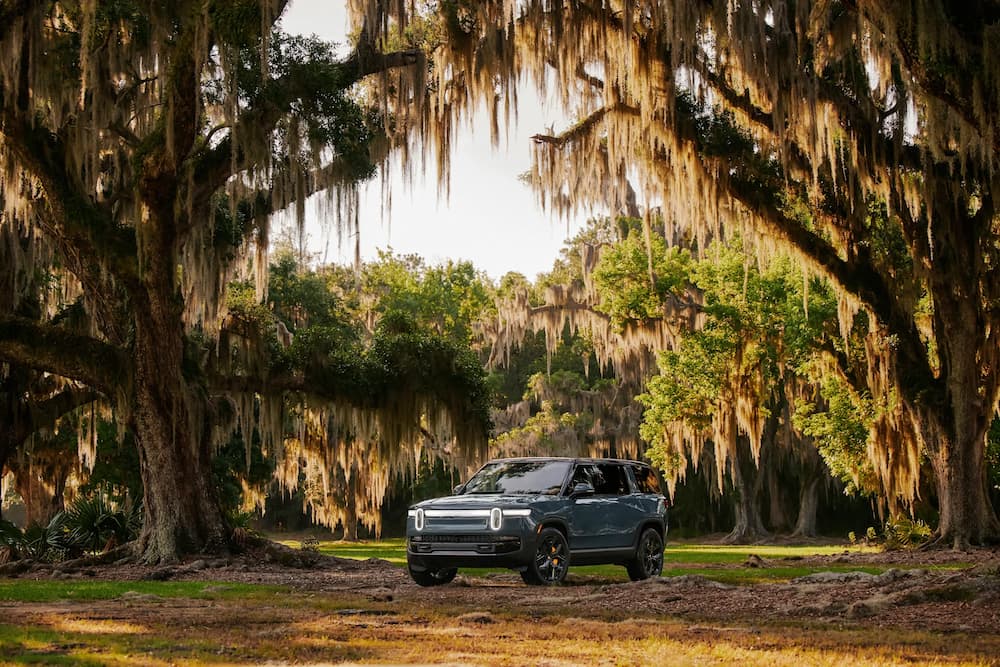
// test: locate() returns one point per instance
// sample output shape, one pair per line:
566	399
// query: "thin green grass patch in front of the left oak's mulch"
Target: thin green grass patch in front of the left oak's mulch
23	590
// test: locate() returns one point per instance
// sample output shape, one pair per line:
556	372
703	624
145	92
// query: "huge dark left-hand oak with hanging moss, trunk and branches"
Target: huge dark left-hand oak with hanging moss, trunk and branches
149	146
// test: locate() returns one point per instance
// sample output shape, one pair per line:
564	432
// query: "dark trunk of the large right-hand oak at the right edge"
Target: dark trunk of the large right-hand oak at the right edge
955	406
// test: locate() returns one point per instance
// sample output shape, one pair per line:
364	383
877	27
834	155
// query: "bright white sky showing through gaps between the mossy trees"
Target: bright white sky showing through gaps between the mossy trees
491	217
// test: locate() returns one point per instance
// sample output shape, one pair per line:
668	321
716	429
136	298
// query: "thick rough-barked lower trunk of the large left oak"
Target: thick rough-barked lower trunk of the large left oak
170	418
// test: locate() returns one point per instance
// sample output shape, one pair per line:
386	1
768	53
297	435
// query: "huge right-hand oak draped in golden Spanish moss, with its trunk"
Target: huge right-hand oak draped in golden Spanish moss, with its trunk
790	122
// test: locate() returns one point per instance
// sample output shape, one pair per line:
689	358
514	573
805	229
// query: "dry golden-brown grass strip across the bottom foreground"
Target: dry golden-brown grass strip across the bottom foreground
333	628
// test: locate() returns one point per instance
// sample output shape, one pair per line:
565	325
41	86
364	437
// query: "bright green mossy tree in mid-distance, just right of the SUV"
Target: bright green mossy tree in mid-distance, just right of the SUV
731	383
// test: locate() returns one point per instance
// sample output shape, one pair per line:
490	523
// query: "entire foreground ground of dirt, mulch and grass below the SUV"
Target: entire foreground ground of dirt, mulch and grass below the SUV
278	605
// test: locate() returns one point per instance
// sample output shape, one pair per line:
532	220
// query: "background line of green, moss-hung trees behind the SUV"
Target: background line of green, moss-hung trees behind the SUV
759	348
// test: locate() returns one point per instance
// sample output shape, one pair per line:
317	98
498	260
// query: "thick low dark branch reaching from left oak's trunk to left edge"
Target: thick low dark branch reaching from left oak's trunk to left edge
62	352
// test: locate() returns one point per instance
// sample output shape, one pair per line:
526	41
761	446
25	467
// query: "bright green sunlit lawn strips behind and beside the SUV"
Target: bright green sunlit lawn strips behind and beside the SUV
717	562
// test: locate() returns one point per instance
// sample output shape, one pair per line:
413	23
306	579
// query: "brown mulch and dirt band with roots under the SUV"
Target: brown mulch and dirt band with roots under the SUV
910	595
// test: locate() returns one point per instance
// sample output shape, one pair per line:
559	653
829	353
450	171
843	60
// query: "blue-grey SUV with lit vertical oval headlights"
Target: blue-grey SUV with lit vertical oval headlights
538	515
